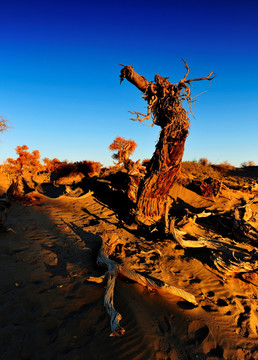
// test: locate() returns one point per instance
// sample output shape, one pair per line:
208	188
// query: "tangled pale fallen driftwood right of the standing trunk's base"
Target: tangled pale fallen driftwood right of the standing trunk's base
228	256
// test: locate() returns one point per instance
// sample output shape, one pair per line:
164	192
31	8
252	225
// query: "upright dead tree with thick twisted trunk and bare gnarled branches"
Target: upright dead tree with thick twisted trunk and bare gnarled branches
165	107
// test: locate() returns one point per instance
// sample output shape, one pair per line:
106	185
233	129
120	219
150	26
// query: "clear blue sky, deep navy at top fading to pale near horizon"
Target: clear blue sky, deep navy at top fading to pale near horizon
59	75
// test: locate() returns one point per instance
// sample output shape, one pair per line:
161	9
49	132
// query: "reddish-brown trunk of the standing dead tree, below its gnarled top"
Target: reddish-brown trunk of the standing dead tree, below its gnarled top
162	173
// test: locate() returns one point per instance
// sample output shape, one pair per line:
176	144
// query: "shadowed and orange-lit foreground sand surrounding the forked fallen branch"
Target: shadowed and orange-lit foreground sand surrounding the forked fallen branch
50	311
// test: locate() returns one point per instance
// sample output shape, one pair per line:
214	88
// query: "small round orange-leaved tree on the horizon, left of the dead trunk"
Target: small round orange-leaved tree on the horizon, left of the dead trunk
124	148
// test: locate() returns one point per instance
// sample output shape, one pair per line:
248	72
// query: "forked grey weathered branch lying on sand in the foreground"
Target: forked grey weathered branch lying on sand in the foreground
113	270
